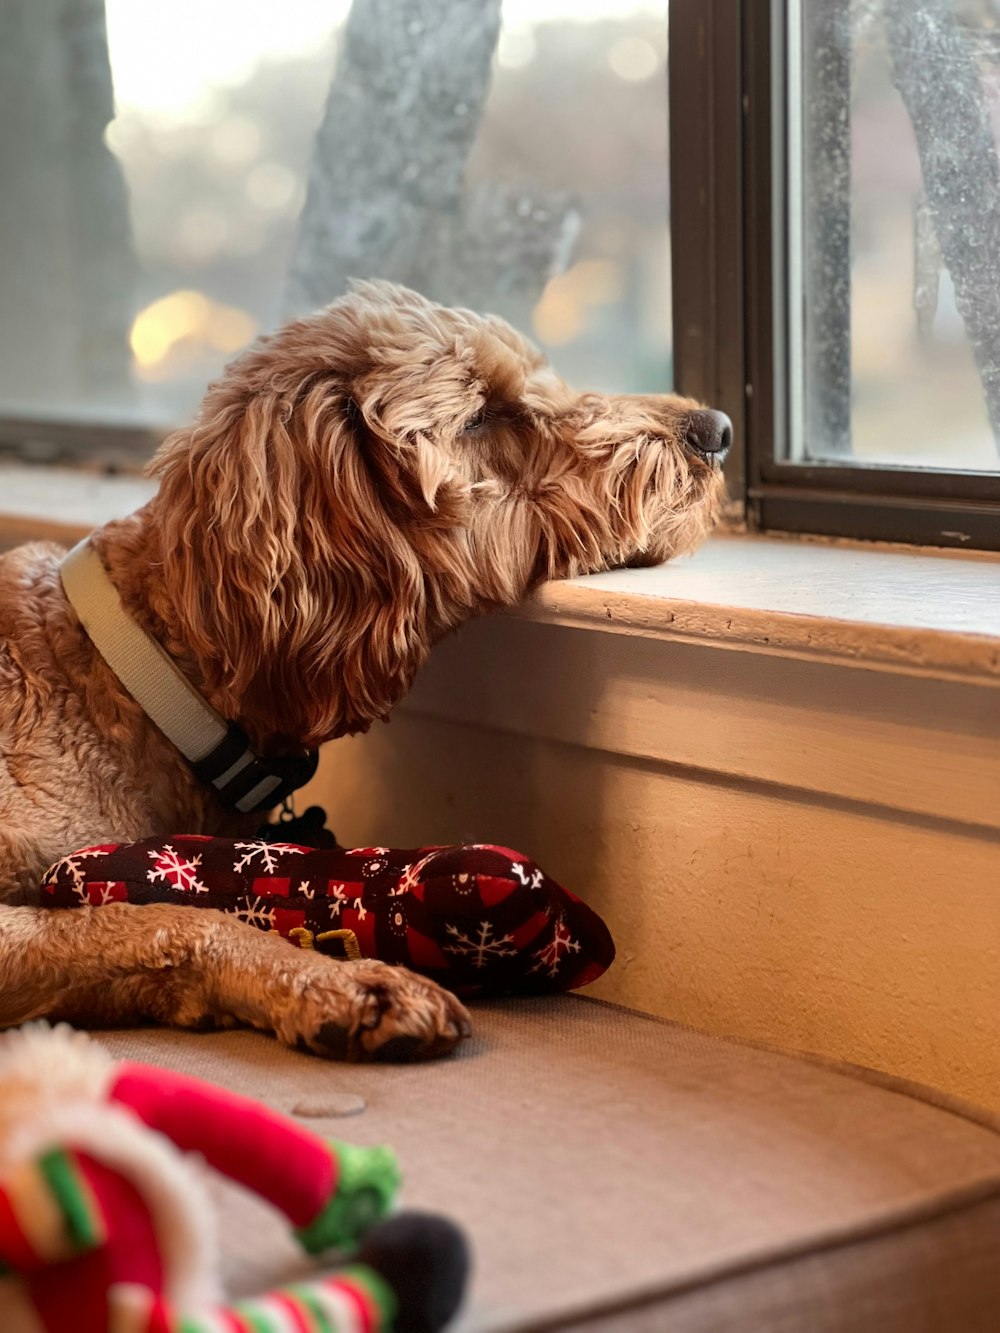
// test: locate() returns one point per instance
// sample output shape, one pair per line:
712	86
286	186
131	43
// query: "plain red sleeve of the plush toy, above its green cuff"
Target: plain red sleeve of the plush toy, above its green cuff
287	1166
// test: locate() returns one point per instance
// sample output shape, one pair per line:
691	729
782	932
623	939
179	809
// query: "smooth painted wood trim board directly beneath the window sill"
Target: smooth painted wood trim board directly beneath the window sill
927	748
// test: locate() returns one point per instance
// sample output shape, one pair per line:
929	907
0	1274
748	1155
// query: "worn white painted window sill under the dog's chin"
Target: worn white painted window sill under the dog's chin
925	614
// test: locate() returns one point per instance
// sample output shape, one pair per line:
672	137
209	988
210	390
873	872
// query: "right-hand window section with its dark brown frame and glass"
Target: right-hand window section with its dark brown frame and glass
875	266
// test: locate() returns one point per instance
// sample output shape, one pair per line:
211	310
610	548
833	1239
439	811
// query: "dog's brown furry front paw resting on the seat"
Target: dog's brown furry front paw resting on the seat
366	1011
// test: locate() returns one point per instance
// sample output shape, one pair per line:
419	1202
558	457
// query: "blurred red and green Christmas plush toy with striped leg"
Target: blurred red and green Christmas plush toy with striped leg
105	1227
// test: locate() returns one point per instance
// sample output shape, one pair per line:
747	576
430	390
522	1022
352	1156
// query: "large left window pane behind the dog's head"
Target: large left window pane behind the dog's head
181	177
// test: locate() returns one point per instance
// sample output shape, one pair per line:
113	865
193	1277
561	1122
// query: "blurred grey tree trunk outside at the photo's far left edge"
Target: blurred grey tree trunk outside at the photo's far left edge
67	281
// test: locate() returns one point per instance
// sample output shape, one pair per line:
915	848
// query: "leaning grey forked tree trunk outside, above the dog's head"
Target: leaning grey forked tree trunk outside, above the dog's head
386	194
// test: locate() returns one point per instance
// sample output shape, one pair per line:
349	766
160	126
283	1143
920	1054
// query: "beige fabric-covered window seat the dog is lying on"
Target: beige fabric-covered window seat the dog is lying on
619	1174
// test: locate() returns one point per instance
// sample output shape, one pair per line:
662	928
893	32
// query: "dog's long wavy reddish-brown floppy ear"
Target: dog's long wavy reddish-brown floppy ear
298	590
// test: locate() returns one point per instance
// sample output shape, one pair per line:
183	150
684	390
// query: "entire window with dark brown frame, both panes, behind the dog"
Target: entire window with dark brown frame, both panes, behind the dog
829	274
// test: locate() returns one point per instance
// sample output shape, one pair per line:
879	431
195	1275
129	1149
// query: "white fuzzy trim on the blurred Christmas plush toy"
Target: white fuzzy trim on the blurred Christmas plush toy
53	1096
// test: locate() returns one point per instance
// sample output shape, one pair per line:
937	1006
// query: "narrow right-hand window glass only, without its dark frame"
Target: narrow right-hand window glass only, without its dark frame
895	233
